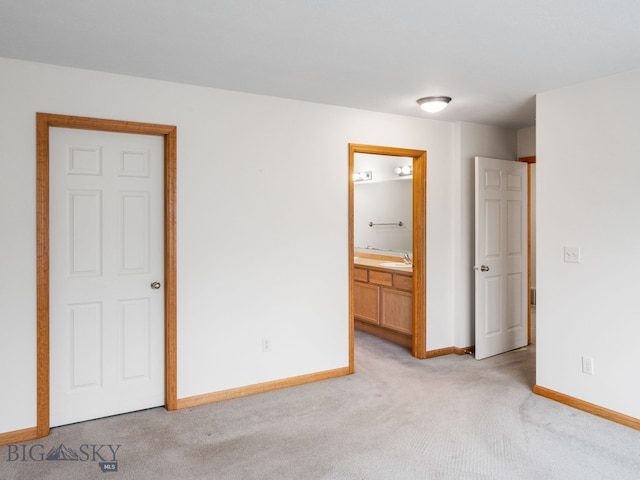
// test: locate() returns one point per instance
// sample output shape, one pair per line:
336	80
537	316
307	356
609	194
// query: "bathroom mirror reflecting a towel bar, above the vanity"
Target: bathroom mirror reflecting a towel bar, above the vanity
382	204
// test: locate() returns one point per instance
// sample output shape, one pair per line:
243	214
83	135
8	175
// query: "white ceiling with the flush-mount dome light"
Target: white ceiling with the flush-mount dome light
491	56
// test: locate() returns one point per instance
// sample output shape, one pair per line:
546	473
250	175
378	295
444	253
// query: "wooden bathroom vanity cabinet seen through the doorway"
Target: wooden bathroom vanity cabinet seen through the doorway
383	302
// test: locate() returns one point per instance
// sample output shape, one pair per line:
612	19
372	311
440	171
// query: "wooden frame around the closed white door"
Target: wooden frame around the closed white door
44	121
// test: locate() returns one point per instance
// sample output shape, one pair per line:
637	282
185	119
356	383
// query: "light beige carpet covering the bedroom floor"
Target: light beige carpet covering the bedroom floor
397	418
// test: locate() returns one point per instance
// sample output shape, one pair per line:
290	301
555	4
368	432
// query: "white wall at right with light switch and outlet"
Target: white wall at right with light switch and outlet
588	149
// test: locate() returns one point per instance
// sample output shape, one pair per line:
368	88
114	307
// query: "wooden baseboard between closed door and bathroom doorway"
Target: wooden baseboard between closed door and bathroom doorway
260	388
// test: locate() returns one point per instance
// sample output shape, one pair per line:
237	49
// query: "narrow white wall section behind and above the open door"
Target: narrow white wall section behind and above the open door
472	140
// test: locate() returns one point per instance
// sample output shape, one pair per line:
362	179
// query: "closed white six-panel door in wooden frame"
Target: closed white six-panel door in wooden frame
106	249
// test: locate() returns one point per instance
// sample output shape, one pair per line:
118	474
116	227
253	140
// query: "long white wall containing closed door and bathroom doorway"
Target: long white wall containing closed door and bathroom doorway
262	223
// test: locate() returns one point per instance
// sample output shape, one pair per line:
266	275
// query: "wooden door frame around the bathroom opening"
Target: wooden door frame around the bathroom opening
419	215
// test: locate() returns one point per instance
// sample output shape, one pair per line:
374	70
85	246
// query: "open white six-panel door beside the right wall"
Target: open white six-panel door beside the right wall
500	256
